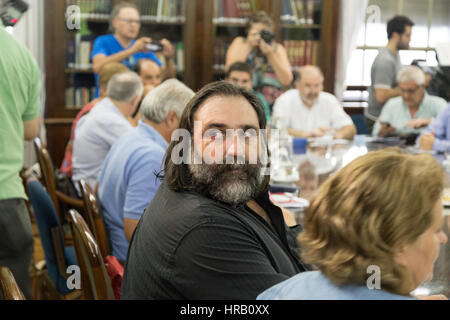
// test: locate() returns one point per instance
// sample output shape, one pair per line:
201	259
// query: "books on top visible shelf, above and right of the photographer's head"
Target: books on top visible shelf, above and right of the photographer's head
300	11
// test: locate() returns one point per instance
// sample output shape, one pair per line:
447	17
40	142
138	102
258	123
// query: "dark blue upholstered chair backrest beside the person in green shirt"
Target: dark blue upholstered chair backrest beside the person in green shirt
50	234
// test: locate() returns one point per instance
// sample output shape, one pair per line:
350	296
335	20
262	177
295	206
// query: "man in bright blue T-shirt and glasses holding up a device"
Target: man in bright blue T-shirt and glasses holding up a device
122	46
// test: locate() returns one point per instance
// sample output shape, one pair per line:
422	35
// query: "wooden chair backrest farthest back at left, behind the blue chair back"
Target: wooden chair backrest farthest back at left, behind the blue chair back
48	175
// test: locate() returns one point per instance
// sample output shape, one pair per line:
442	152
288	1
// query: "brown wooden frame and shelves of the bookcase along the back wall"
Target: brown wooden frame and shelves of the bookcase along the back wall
197	31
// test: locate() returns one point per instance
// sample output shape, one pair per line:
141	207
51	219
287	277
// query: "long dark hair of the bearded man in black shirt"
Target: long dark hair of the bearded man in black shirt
178	176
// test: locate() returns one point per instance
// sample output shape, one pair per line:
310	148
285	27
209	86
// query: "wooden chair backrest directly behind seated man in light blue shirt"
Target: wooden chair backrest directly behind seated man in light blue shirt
93	217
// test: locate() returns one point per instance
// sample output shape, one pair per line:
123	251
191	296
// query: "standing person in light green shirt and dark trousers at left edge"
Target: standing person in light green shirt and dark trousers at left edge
20	89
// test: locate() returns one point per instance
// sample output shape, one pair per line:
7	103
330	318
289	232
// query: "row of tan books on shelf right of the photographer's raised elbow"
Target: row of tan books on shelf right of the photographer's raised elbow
301	52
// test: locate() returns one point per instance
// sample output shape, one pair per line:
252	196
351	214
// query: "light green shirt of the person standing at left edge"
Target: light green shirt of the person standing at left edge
19	101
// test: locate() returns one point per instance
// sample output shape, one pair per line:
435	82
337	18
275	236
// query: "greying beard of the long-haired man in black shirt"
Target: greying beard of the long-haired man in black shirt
221	182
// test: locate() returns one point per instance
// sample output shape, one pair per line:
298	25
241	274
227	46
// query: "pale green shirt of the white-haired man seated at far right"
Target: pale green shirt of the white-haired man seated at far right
397	114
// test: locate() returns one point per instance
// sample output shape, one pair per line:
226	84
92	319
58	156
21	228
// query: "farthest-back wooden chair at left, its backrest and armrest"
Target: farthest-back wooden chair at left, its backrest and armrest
49	181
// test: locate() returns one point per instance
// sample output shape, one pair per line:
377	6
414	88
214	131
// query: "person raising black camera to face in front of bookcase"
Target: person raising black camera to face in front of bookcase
268	59
